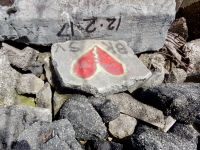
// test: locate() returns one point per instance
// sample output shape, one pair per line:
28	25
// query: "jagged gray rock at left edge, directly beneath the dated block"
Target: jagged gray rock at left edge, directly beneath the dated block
20	58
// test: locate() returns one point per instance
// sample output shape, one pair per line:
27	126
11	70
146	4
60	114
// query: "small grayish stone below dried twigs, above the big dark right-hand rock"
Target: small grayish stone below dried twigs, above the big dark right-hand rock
177	75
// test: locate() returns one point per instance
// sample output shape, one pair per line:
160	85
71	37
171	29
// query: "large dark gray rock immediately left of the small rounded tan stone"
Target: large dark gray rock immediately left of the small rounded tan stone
86	121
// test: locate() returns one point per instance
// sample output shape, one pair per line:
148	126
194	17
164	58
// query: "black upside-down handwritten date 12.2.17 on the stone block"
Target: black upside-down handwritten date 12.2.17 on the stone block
112	24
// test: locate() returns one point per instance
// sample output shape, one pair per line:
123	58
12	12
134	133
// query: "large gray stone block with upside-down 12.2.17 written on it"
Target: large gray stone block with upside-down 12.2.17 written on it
142	24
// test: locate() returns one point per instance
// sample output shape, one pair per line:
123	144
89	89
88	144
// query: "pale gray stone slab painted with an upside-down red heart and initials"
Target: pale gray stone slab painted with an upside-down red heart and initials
97	66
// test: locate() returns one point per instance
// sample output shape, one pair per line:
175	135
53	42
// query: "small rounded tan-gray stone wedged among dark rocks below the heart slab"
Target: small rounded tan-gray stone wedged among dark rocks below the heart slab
123	126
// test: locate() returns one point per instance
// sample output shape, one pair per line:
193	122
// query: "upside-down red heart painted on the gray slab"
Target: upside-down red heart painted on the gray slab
86	66
